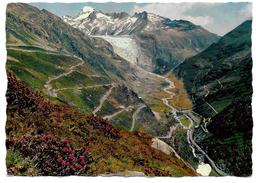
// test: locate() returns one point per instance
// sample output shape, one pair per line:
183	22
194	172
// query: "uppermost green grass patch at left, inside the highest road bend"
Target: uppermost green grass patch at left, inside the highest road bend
34	68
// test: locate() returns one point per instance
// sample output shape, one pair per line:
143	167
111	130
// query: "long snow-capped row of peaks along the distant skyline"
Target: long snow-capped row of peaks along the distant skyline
94	22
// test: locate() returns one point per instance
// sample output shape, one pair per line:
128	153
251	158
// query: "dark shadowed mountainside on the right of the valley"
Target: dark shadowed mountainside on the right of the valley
218	81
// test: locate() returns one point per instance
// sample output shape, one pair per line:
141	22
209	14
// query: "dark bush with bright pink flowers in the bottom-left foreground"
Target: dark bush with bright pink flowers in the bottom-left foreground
52	156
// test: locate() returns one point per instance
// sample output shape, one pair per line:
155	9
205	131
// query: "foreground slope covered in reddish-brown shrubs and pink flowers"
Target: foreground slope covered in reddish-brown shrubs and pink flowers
44	138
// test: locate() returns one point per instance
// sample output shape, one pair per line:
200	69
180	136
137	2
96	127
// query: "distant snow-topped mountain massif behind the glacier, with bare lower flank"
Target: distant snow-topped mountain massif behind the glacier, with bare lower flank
161	43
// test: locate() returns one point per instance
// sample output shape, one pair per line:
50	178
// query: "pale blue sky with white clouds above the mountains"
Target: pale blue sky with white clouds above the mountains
219	18
